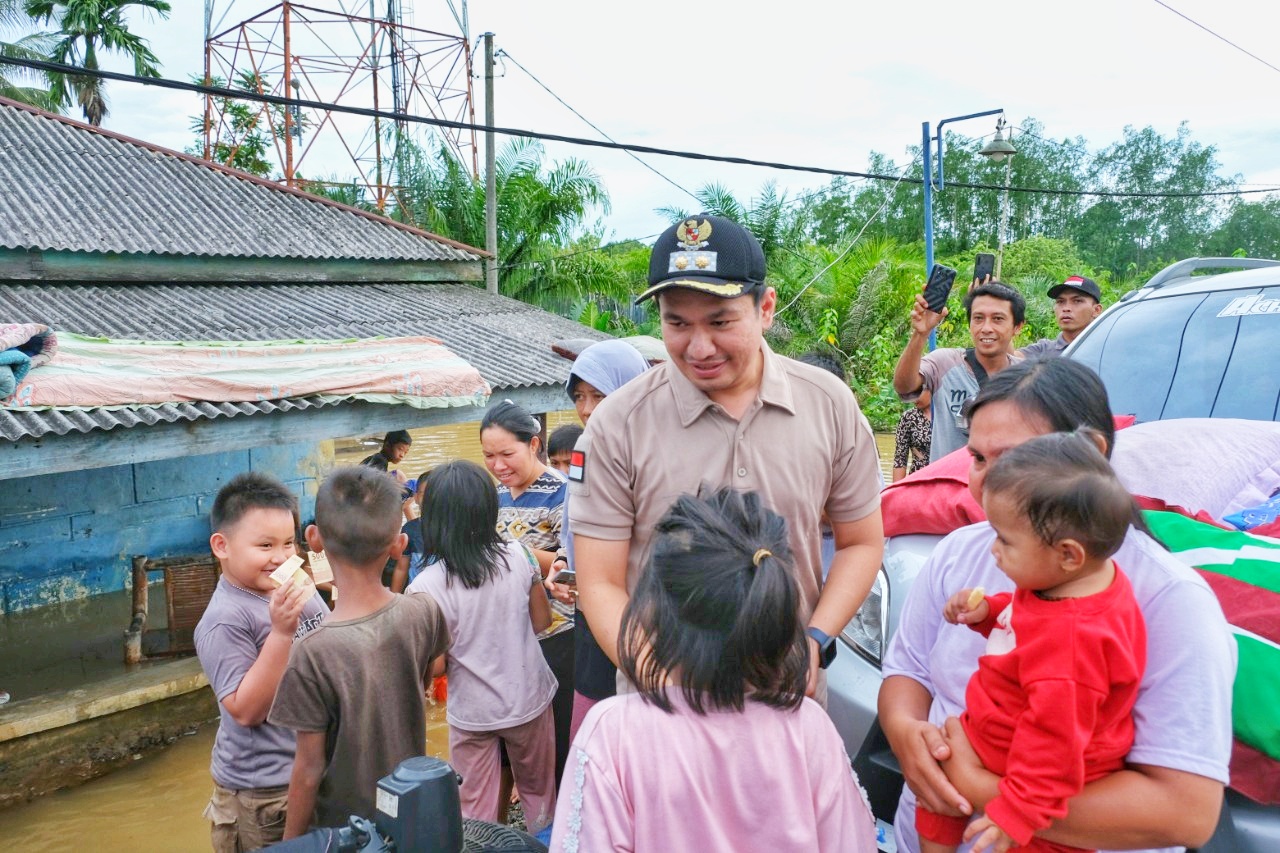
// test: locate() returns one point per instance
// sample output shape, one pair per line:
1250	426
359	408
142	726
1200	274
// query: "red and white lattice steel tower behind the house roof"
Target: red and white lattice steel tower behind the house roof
367	54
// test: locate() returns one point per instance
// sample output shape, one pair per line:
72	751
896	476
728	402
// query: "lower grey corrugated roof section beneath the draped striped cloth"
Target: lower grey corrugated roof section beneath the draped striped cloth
508	341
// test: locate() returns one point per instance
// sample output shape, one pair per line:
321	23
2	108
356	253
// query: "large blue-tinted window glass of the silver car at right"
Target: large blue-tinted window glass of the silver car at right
1192	355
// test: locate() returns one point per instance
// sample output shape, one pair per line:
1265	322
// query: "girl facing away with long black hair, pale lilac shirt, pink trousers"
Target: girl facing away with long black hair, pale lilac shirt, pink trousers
501	688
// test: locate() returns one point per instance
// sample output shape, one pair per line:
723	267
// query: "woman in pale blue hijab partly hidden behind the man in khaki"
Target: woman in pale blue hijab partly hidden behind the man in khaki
598	372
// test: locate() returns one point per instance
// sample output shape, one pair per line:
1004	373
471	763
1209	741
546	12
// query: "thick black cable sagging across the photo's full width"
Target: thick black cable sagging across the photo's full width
163	83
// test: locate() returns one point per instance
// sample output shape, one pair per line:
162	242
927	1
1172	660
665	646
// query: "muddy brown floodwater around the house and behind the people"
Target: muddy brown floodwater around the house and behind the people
157	804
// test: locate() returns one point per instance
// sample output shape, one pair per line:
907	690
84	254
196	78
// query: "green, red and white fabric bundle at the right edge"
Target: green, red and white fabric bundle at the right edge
1245	573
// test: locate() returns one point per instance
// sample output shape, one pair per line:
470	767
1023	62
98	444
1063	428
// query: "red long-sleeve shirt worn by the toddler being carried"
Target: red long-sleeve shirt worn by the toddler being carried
1052	704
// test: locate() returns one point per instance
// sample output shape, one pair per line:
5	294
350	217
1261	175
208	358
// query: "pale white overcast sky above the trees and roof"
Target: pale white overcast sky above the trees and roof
821	84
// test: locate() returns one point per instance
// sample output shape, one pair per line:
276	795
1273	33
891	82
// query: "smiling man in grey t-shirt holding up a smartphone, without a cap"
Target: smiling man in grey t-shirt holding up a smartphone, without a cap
954	376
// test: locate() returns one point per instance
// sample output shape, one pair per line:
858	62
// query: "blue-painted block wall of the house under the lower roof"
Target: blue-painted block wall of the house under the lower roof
74	535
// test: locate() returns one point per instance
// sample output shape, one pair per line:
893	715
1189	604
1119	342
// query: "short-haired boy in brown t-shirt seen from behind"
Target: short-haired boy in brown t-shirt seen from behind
354	691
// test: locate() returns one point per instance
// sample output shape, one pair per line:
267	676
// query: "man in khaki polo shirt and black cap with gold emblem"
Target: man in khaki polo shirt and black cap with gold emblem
725	410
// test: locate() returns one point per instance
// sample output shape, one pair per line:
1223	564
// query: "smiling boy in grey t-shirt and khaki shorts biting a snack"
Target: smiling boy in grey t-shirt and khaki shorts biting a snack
244	645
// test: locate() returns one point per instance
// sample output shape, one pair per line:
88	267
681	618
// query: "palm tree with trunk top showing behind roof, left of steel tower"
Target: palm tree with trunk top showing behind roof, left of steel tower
84	26
